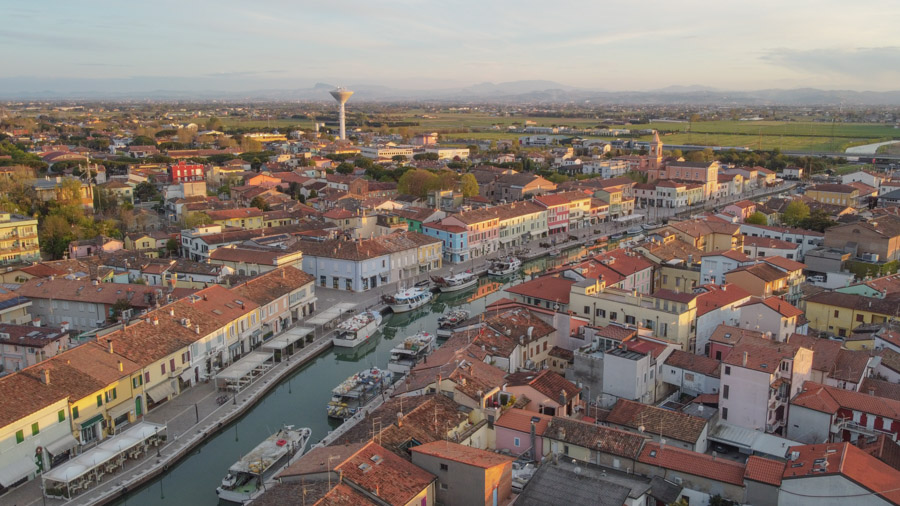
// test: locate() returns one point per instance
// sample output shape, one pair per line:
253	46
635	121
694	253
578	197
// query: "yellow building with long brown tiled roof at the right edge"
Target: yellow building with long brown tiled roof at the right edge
837	314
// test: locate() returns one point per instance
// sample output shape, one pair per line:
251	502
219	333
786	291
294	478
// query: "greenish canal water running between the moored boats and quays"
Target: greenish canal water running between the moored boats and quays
300	399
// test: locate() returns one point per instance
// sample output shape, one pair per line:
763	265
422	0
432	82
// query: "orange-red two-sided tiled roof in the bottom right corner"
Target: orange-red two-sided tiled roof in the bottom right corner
849	461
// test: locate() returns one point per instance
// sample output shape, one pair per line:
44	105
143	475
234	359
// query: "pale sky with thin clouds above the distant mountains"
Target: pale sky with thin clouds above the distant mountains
611	46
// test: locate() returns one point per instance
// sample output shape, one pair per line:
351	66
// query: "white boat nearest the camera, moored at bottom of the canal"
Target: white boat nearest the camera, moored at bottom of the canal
245	478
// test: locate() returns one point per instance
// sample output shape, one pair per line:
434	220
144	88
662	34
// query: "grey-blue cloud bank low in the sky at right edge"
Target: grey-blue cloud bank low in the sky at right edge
860	62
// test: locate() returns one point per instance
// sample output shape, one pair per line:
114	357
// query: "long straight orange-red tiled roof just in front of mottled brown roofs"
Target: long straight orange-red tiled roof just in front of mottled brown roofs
697	464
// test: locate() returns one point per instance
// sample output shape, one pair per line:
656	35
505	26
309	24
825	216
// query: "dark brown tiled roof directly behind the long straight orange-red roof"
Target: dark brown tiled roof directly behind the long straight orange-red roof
673	425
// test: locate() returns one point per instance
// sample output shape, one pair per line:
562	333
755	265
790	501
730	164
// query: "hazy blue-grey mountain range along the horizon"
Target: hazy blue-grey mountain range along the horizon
534	91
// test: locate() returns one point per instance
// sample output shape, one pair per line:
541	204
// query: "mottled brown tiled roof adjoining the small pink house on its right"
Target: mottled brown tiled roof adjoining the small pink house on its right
595	437
